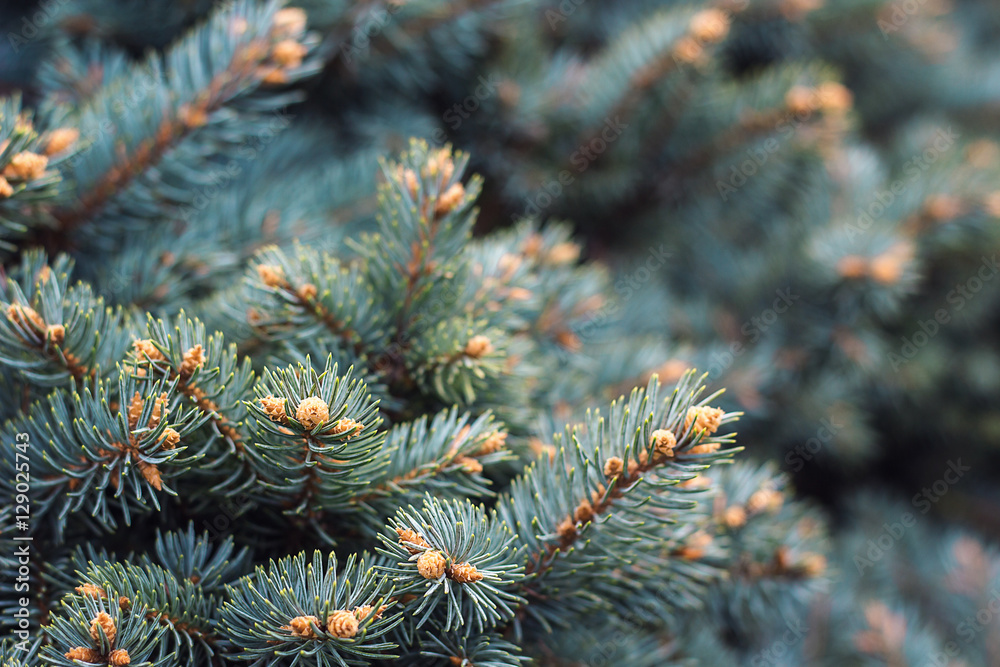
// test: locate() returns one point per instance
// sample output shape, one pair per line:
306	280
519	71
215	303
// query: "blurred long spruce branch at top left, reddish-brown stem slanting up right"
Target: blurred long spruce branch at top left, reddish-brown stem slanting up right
214	76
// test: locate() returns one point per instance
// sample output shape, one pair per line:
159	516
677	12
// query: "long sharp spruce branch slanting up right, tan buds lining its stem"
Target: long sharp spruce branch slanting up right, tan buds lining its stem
602	490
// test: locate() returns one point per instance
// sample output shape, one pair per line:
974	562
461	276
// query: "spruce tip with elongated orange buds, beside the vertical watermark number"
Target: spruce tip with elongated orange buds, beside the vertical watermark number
110	445
